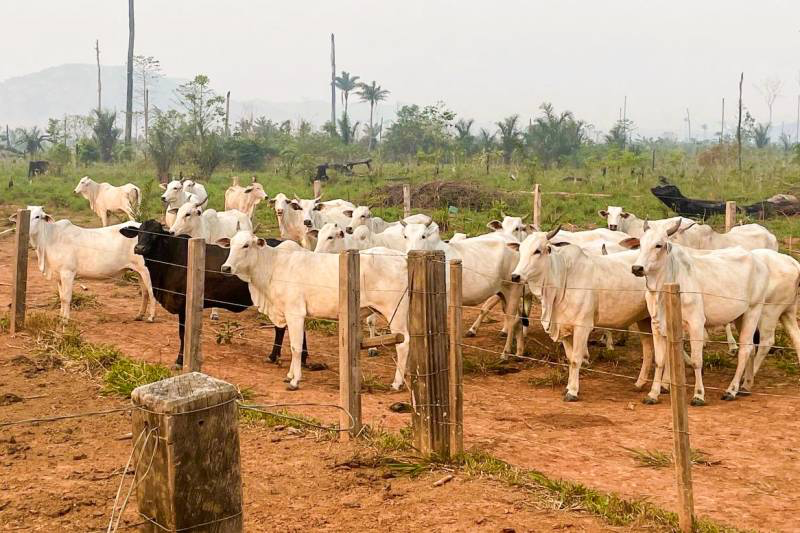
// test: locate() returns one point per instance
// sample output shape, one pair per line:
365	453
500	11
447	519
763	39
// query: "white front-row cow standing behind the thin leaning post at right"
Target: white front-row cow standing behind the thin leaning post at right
717	287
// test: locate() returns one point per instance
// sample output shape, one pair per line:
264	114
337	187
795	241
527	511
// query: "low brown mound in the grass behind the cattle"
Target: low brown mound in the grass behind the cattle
436	194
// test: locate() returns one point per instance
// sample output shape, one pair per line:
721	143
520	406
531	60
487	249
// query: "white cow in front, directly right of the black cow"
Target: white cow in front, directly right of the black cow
289	286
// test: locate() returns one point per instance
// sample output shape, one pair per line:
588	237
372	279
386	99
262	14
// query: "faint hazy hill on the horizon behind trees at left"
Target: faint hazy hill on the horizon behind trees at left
72	89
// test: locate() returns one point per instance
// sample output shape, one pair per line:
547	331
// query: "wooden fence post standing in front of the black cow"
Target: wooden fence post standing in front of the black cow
195	283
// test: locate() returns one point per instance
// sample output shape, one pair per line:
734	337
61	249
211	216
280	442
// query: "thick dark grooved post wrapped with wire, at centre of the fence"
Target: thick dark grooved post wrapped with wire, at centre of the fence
428	353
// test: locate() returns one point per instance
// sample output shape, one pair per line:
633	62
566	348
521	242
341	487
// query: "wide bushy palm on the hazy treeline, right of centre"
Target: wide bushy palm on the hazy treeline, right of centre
553	136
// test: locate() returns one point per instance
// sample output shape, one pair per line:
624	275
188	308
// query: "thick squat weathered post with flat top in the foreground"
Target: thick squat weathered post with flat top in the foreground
186	429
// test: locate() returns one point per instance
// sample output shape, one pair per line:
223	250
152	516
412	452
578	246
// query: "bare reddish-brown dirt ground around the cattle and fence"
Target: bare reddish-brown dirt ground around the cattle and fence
754	441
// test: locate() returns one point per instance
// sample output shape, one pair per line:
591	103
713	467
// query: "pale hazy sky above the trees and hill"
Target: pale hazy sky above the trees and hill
486	59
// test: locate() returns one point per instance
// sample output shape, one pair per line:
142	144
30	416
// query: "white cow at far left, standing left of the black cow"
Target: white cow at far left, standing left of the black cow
67	251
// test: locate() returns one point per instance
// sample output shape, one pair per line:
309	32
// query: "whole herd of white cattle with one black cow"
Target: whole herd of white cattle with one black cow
602	278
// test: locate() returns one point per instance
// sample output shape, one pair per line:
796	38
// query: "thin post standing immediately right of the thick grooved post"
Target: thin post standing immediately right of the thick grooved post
455	363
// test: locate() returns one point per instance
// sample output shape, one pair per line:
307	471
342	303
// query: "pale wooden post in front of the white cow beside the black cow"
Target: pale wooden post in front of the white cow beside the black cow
349	343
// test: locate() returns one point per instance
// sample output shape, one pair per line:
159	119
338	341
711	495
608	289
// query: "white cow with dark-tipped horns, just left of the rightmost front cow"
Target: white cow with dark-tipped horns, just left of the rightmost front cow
580	292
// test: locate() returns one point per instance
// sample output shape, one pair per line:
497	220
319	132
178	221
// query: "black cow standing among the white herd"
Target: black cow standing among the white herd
163	251
